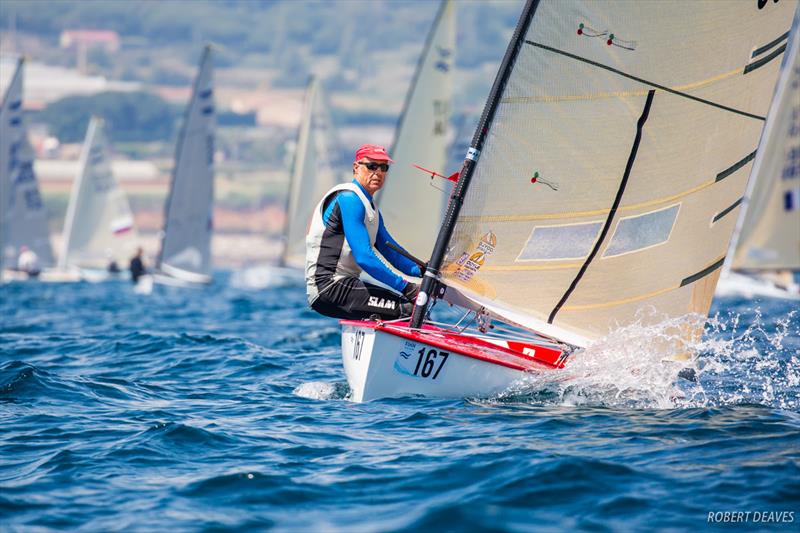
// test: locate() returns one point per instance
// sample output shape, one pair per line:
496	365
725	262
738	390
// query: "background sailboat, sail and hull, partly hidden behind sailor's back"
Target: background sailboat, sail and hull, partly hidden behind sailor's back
314	171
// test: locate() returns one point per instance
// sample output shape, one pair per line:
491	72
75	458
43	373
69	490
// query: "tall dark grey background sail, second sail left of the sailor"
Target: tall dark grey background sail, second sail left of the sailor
186	243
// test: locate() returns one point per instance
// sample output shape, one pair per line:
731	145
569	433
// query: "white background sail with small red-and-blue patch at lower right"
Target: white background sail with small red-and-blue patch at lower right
99	223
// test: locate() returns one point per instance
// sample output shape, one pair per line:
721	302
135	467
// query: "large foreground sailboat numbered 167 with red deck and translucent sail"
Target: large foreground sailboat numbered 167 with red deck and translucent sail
615	137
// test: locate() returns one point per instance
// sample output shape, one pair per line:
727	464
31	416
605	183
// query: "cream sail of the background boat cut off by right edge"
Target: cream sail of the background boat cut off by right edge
769	236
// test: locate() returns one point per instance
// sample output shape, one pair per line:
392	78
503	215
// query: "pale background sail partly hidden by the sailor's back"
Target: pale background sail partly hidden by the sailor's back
314	172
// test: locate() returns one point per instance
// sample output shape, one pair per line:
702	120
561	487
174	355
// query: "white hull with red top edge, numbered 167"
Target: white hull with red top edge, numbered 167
381	364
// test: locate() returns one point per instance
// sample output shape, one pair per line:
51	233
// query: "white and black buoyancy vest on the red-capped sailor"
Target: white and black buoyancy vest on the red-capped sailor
320	237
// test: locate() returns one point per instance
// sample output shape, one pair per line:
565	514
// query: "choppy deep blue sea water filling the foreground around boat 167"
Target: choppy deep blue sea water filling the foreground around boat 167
225	409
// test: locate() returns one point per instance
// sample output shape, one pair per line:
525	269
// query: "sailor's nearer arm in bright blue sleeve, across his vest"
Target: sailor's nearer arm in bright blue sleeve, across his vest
358	239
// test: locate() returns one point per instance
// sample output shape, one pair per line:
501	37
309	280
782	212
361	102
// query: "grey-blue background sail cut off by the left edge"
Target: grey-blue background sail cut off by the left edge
22	213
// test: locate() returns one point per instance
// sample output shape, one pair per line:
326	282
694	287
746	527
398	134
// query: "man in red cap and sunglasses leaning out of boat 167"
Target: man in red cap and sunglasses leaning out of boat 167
345	232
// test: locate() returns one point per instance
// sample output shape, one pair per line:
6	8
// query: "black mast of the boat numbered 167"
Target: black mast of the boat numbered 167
429	280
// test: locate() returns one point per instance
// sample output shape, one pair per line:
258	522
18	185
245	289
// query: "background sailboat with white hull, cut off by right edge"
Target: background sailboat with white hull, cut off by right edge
765	250
